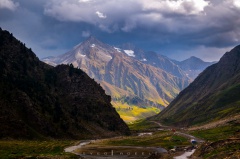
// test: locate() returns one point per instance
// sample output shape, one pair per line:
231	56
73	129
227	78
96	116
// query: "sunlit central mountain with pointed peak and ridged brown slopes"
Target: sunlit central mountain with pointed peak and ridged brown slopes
123	75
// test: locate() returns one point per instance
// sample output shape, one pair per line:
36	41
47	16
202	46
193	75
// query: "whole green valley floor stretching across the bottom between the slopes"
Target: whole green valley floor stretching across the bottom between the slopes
223	137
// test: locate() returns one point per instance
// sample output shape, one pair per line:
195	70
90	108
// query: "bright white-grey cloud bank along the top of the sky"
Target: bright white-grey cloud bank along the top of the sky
126	14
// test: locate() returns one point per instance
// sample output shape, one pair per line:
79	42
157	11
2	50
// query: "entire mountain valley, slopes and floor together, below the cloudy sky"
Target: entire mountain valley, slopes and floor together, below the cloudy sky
48	109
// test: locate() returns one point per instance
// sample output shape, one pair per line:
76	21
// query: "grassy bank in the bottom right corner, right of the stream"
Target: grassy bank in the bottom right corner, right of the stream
221	141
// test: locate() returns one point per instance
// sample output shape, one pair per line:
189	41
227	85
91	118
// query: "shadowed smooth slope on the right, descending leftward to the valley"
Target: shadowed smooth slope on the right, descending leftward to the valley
213	95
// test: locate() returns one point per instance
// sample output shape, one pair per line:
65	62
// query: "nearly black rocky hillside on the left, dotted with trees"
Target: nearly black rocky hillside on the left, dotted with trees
41	101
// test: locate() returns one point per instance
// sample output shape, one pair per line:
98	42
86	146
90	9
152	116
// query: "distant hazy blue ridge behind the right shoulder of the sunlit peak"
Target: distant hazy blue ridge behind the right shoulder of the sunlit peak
189	68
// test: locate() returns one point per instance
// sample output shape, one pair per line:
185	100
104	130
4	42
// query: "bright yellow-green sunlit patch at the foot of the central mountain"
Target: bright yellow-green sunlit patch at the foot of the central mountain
131	113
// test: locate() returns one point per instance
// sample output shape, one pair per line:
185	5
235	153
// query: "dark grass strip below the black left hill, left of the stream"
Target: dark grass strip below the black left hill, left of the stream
52	149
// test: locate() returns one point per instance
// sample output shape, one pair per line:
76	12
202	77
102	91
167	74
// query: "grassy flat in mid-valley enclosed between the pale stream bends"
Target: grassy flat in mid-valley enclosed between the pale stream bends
139	145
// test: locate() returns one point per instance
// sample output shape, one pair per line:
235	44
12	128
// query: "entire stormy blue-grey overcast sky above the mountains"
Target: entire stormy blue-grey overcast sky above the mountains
175	28
